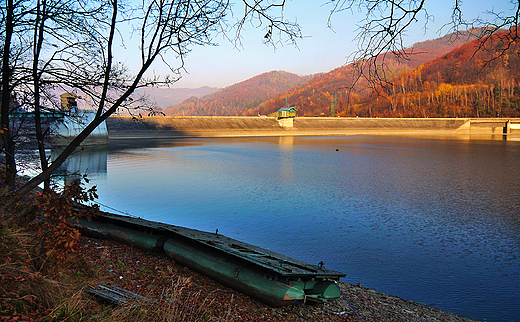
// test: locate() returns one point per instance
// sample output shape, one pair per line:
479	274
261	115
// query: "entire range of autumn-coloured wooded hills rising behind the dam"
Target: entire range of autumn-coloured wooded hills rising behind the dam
445	77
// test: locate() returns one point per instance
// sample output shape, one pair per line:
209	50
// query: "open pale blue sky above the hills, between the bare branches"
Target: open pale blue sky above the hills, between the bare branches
321	50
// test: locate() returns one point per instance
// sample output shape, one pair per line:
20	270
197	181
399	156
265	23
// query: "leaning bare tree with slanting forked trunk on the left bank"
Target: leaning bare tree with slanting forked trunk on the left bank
164	27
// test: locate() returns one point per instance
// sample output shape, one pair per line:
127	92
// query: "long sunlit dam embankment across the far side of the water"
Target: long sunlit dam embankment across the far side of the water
121	127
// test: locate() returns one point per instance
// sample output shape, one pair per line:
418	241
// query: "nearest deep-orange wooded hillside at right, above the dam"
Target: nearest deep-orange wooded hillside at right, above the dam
473	80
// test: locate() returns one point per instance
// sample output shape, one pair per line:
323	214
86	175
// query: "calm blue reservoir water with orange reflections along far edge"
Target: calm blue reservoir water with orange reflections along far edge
434	221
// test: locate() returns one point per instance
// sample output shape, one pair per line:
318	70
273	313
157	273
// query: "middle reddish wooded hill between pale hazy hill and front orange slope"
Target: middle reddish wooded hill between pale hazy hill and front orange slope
331	94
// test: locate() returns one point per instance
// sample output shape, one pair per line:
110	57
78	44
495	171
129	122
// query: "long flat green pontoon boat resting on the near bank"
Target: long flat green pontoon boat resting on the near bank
268	276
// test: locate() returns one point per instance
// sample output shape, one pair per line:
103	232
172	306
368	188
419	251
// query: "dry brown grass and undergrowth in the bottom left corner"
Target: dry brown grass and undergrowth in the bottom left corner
38	287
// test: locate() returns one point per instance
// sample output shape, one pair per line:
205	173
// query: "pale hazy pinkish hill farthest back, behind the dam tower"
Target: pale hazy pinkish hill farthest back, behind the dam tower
234	100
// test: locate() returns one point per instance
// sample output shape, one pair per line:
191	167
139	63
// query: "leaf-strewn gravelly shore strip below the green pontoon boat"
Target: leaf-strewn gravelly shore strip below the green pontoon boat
363	304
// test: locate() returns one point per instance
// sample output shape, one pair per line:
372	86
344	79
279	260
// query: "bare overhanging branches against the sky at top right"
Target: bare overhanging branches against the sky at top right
380	34
